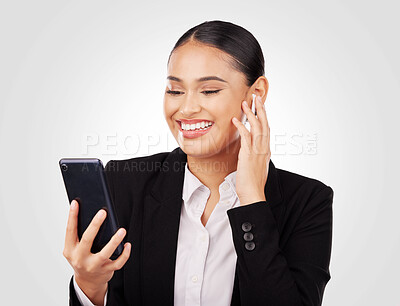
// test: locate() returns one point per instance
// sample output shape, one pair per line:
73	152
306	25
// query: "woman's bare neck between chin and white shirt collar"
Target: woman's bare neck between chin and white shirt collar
212	170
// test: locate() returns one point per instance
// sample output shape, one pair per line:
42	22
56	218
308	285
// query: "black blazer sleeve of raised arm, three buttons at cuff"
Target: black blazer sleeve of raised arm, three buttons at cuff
297	273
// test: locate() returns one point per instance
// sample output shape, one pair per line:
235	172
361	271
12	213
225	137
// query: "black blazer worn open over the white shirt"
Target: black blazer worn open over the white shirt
286	263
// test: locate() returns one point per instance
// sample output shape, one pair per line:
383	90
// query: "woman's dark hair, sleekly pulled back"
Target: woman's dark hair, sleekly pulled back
236	41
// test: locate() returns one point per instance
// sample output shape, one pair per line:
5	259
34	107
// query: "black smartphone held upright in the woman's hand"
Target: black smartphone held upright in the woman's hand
86	182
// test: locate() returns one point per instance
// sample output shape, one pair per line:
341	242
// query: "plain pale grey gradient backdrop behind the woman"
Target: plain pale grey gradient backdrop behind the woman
86	78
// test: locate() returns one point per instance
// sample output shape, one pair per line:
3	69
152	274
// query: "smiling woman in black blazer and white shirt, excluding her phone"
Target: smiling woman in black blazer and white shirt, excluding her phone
213	222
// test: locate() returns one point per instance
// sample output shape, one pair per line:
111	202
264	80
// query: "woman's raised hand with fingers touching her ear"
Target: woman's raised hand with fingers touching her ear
254	155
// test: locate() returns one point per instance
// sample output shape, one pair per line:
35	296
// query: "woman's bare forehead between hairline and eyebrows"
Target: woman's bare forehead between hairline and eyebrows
193	60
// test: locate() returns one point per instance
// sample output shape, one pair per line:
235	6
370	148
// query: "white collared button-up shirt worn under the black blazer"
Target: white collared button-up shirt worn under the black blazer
206	257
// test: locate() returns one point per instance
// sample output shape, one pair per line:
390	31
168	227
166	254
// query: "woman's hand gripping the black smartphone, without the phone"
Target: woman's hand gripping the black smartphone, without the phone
92	271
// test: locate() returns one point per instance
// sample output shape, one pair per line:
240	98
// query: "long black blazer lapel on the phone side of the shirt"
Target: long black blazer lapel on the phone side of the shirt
161	219
